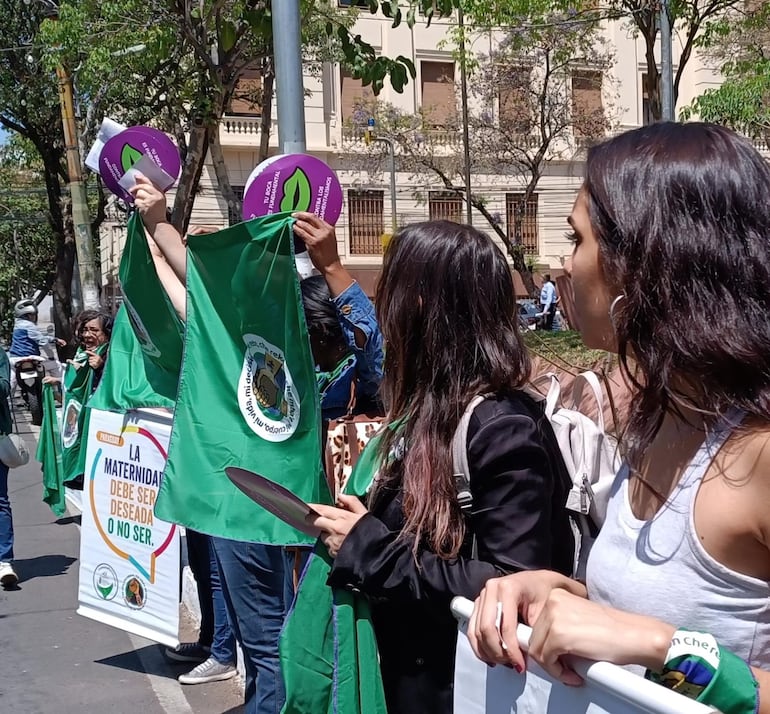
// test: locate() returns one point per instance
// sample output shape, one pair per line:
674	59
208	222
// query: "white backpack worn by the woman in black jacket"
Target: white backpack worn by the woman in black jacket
590	454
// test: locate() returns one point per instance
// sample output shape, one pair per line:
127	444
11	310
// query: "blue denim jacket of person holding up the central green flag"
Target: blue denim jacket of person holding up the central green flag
354	309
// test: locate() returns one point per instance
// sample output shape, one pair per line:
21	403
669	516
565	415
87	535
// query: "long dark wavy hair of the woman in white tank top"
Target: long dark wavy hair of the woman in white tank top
682	216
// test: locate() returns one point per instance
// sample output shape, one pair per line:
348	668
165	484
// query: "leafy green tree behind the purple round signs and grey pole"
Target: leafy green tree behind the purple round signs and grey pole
192	58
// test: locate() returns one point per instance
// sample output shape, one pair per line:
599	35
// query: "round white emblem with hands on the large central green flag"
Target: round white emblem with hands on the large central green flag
267	396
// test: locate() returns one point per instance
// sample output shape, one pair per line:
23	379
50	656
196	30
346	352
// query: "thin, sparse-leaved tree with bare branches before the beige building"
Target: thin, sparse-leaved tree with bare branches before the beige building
523	115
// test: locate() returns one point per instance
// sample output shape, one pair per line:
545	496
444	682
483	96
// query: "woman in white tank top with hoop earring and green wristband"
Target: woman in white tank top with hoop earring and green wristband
671	270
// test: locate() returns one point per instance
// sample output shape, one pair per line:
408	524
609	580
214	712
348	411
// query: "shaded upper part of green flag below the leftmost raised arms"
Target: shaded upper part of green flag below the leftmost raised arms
156	324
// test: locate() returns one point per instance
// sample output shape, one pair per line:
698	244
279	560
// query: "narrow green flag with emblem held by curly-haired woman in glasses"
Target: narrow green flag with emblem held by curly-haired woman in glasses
78	387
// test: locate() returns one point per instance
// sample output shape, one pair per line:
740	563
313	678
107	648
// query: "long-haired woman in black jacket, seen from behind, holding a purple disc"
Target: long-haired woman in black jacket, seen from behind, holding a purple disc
447	311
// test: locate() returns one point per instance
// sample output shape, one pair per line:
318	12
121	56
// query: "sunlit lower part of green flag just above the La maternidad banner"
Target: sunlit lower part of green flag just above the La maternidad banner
131	380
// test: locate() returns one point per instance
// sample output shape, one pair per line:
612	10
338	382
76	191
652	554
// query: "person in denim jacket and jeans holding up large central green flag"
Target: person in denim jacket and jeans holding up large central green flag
346	348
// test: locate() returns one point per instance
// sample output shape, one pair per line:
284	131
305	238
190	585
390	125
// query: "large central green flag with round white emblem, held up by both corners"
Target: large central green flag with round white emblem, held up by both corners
247	393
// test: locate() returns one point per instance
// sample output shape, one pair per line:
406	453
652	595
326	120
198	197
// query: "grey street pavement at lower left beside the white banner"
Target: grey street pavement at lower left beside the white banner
53	660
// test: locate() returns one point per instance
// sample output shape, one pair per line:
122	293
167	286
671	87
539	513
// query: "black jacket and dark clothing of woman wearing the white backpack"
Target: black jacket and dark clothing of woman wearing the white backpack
519	486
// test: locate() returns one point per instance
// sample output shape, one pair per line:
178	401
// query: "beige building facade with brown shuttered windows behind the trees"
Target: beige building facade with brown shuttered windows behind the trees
367	215
